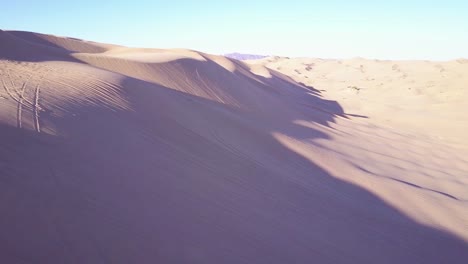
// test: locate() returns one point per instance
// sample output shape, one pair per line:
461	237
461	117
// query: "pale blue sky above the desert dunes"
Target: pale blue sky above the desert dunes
410	29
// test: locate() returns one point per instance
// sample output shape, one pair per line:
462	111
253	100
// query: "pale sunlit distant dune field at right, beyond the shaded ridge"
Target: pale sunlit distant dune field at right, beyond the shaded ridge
425	95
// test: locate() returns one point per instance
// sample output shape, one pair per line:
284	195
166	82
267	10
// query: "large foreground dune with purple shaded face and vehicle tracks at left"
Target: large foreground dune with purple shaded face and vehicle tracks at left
129	167
